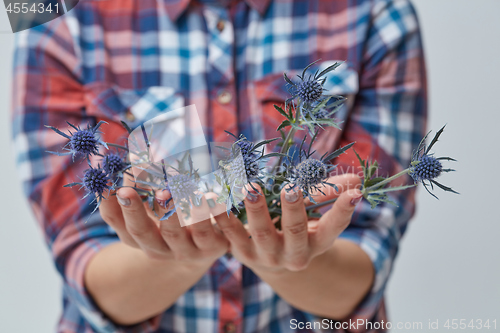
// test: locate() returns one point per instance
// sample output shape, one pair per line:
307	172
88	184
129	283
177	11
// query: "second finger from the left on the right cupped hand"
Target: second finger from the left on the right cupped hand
260	225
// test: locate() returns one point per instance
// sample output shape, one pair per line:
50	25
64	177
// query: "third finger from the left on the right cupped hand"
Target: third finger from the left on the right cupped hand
294	223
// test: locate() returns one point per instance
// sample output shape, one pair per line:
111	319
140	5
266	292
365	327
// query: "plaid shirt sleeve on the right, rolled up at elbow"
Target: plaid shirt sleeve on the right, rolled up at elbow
387	121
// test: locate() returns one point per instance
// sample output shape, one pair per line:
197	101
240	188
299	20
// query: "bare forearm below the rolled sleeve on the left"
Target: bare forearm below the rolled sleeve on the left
130	287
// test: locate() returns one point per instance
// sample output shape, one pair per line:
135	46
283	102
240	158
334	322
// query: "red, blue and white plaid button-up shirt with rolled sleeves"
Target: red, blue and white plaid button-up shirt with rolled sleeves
133	59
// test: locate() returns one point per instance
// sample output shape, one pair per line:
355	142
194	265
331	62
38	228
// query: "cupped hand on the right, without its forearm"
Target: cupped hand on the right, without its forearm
300	240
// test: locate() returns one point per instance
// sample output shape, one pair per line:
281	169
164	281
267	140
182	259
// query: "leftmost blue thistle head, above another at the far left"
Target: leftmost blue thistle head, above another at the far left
83	142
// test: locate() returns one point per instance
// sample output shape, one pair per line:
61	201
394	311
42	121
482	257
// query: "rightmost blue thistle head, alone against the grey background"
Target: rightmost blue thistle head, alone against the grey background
425	168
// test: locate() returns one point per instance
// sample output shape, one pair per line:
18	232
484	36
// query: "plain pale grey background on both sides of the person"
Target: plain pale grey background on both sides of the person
449	261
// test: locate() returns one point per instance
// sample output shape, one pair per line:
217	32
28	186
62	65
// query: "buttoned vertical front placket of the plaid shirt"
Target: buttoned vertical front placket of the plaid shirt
223	99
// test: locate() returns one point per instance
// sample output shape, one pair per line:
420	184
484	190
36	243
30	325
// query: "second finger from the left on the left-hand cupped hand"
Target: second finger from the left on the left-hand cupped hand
137	222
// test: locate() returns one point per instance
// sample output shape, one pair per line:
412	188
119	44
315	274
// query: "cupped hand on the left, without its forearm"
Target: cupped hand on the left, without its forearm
139	227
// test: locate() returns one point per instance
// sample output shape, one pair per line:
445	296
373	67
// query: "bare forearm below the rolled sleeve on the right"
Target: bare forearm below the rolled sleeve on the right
331	286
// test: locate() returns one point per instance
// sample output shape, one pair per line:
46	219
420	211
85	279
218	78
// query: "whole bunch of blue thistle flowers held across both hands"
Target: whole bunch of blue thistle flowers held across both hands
292	165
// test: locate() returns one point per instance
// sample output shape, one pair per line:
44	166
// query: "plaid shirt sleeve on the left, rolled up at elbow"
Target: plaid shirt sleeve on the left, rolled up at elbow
48	90
